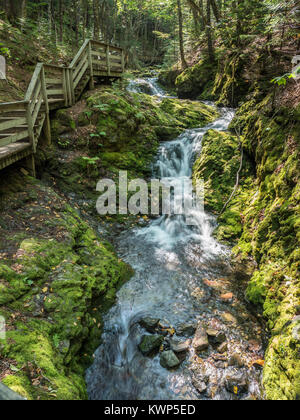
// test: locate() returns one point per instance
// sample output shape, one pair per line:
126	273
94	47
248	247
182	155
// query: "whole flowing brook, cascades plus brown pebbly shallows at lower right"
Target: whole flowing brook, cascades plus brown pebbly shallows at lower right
183	278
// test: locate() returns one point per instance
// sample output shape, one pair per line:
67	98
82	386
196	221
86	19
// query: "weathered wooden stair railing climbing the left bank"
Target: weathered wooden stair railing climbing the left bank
53	87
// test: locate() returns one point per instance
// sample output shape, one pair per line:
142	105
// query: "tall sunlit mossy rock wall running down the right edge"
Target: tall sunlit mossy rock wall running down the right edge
271	235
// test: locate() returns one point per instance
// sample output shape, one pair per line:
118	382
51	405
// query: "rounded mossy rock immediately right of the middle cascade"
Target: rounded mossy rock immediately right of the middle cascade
218	165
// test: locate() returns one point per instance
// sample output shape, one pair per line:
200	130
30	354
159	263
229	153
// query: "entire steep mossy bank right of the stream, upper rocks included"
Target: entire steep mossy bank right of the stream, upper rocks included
263	218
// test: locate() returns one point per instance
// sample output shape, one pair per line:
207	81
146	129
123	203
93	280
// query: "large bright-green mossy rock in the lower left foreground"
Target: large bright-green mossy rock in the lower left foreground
57	278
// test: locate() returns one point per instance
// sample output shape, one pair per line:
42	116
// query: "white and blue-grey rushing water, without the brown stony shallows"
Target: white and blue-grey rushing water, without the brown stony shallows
170	260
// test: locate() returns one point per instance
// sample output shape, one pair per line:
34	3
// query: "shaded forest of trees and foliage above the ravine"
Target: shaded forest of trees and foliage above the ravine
155	32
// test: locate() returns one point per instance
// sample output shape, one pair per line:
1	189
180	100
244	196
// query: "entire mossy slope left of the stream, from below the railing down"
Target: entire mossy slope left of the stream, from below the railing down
58	275
